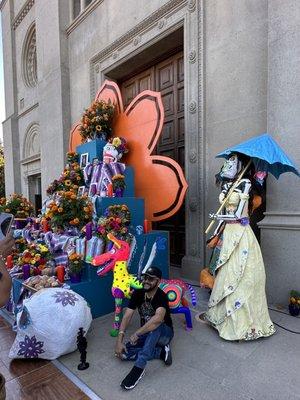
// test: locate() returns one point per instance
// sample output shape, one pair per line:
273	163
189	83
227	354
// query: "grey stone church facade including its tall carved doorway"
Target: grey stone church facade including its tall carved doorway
227	69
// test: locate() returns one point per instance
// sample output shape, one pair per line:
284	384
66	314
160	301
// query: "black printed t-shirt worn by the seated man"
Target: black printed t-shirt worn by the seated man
147	307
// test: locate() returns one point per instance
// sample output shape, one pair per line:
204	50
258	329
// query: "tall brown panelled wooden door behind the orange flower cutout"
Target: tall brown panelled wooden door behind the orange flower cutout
166	77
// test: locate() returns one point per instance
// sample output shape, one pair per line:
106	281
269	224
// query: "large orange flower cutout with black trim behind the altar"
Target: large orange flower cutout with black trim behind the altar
159	180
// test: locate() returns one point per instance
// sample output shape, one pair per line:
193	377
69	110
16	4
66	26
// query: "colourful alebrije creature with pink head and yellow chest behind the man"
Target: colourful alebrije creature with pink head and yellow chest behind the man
116	260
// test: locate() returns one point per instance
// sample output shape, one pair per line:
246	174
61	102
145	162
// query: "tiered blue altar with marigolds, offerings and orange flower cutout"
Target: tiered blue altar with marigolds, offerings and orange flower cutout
96	196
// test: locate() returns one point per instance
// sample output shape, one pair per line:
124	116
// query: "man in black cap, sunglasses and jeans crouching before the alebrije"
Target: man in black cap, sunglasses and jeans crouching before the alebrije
152	339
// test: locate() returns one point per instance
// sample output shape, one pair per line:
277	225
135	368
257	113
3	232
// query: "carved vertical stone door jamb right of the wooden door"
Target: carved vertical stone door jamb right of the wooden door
194	141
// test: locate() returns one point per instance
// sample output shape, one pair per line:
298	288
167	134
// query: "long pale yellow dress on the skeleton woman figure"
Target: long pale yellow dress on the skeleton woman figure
237	306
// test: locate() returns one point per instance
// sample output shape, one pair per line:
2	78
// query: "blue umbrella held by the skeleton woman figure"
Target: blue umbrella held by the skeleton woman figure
266	155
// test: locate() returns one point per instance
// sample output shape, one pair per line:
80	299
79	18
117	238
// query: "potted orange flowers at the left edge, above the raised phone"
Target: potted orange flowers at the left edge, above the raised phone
19	206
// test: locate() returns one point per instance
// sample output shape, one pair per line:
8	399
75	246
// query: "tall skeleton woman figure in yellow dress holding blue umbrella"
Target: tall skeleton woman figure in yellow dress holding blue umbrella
237	306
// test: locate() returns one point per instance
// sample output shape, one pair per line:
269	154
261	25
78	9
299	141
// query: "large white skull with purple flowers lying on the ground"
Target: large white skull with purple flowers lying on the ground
48	324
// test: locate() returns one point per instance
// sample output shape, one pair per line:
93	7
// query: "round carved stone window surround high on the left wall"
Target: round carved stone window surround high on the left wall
29	58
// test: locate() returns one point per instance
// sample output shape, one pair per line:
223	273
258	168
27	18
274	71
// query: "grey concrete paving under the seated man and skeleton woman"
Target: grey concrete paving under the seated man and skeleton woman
204	366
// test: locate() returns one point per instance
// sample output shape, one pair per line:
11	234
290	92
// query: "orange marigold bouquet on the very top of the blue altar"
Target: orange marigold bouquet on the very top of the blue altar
96	122
